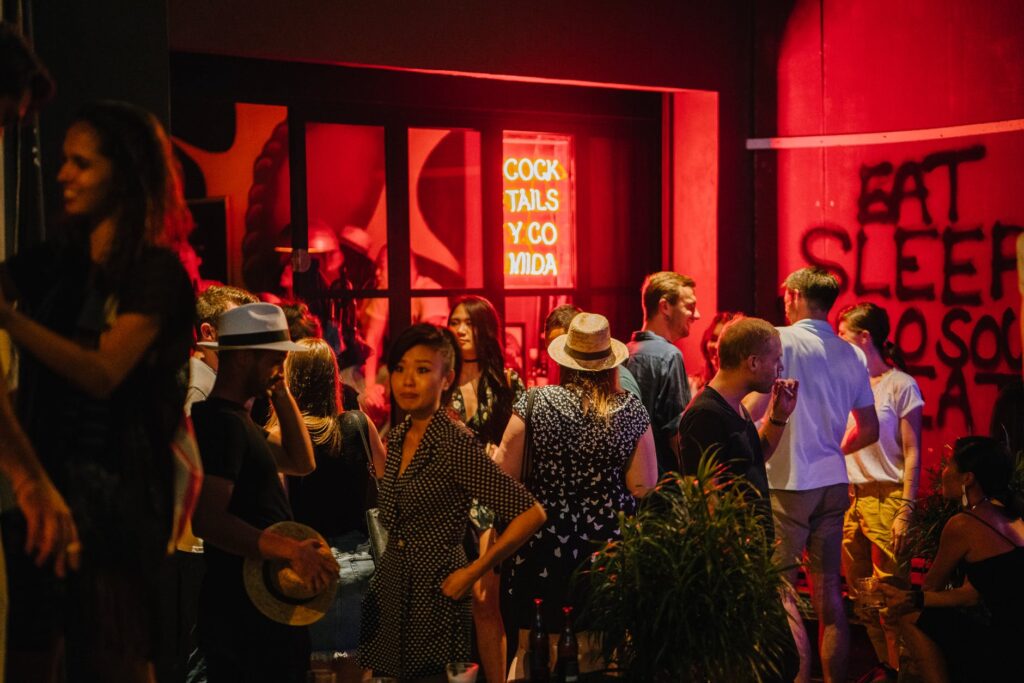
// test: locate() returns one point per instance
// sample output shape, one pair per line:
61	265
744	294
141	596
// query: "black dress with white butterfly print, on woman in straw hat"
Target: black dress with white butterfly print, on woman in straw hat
580	479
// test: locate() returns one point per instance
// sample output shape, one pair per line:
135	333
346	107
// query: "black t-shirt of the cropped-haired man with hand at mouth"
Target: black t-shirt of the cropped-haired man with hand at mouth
709	422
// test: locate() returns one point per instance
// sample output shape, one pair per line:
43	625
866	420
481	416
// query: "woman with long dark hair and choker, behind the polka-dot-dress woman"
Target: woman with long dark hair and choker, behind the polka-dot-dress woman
484	401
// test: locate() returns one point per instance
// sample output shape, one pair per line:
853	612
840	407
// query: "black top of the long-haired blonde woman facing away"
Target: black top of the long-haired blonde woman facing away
332	499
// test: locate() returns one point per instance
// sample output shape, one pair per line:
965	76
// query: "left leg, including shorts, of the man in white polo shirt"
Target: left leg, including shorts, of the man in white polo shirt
790	515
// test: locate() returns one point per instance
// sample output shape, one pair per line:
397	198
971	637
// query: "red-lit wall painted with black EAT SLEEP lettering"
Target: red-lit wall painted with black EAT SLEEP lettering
924	229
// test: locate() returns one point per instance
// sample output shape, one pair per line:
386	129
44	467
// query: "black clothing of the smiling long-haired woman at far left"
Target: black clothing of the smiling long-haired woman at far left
109	456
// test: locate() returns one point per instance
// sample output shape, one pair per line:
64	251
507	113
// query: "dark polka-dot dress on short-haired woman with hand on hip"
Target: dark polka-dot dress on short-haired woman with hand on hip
410	629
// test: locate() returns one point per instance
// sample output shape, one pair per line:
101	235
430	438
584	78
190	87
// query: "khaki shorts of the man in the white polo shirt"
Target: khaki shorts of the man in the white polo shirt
810	521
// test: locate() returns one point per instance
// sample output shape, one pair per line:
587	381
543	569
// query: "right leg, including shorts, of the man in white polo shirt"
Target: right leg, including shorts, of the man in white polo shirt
825	549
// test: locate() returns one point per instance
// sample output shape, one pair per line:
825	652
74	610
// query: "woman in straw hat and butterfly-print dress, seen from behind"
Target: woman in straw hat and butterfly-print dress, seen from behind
593	454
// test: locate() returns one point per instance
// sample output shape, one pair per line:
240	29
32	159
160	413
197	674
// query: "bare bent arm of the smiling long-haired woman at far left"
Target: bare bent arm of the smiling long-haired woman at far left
97	372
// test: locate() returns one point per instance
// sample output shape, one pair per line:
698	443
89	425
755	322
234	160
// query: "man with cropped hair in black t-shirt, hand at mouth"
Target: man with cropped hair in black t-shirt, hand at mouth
750	354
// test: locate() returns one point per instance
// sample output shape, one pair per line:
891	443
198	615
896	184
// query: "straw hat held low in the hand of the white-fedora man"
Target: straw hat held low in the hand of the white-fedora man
279	593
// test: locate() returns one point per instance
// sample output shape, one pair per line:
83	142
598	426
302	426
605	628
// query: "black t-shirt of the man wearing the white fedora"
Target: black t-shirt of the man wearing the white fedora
235	449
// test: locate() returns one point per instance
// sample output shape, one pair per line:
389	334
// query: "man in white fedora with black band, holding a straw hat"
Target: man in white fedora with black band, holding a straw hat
243	496
